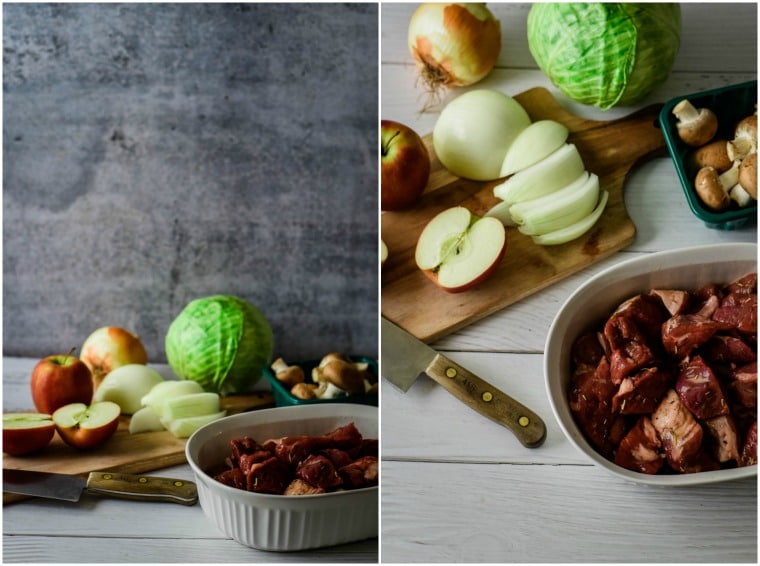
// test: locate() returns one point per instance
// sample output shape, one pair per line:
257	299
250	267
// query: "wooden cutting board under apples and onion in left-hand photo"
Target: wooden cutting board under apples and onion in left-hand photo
123	452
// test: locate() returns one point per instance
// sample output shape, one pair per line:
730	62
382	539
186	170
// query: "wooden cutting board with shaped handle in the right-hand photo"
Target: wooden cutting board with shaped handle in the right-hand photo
609	149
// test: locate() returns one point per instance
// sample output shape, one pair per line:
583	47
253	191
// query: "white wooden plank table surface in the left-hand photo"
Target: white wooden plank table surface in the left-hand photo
99	529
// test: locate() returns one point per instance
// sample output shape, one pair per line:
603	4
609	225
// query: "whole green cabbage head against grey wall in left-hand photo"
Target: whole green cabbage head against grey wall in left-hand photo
222	342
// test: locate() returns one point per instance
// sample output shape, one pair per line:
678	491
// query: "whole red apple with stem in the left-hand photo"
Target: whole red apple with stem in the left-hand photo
59	380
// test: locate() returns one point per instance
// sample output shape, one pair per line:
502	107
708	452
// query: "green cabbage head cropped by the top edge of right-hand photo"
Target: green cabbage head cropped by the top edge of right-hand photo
605	54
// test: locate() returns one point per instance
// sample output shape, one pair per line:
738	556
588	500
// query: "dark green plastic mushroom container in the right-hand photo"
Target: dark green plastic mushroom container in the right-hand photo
730	104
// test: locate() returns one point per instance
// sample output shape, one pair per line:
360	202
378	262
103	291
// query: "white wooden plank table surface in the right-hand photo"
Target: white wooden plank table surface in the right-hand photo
458	488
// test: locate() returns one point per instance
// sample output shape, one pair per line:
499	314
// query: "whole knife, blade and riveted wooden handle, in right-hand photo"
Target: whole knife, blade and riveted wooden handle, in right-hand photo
404	358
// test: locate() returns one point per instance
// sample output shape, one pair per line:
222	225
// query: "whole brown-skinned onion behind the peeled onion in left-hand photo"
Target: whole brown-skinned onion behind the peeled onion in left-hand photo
110	347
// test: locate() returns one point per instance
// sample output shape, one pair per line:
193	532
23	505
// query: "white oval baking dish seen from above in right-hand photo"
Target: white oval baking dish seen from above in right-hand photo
595	300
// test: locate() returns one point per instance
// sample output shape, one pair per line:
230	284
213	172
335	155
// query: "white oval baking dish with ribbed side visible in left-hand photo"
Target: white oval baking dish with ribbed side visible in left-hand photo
280	522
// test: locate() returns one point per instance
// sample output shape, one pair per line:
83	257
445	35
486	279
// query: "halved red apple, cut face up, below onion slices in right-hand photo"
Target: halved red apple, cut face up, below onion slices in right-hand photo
459	250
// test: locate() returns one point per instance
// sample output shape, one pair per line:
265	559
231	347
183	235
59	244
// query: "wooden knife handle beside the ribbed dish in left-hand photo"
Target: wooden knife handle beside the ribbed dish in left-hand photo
145	488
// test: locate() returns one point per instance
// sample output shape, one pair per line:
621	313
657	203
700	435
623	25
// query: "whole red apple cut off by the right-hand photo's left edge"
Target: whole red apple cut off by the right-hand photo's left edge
405	165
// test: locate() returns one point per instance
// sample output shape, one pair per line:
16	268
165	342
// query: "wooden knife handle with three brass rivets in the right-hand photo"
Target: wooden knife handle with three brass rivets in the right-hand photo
489	401
